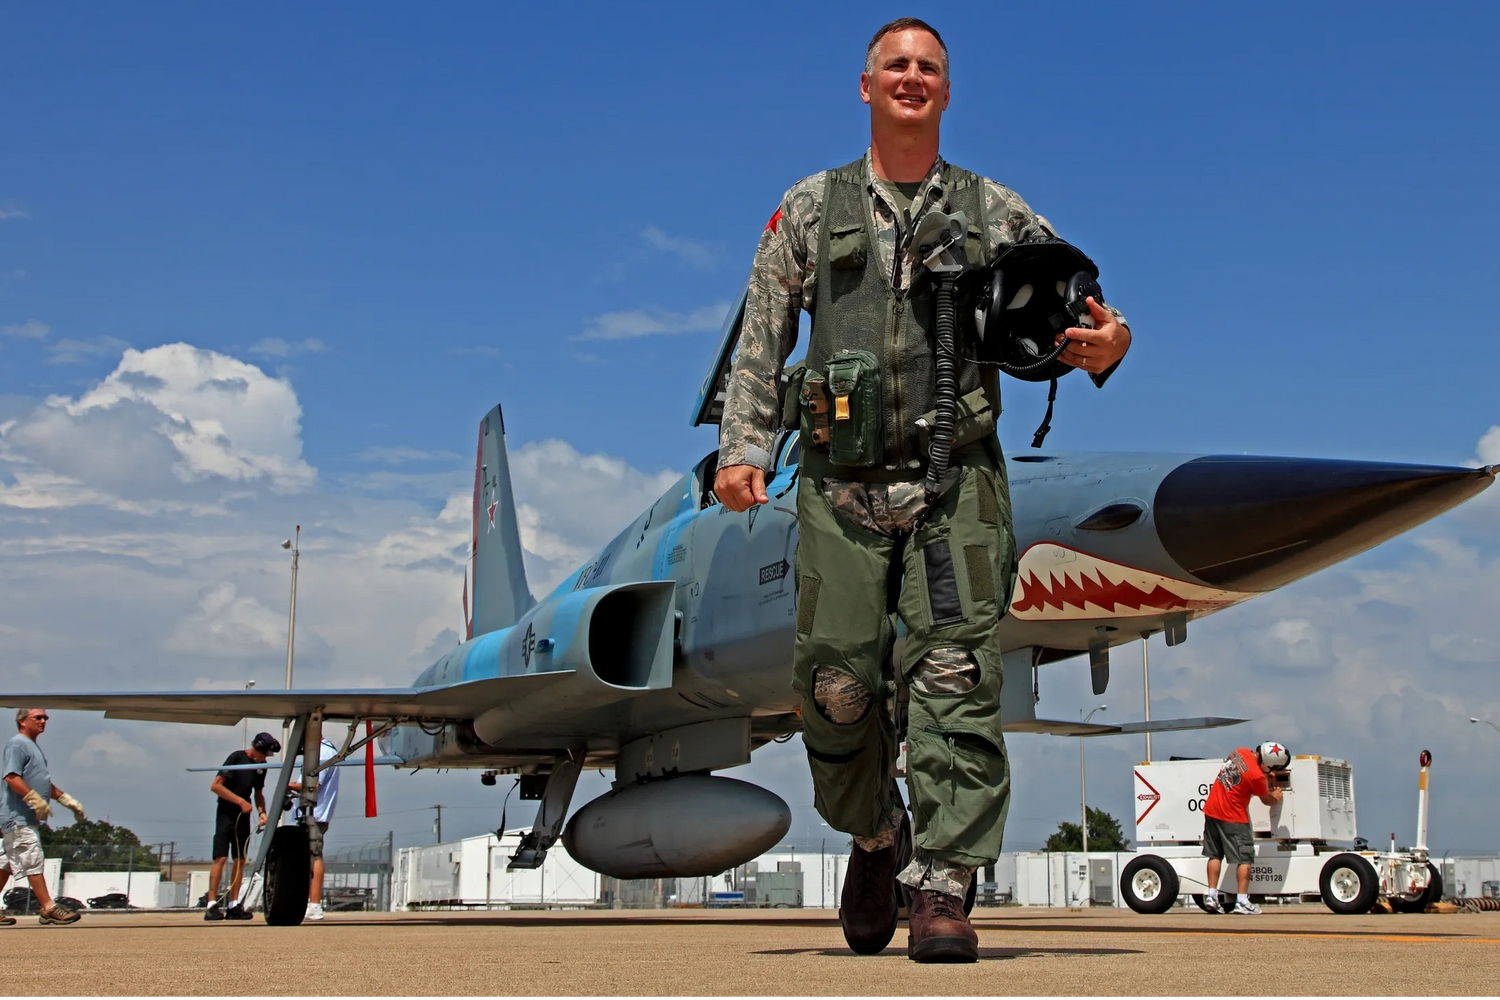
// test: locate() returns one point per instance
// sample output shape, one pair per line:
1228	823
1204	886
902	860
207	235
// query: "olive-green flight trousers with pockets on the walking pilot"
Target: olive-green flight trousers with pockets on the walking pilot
859	567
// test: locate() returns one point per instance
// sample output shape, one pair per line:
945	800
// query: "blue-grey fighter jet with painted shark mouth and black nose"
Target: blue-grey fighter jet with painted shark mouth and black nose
667	657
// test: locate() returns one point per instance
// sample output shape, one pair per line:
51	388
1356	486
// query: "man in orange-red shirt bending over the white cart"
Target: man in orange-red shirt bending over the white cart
1226	818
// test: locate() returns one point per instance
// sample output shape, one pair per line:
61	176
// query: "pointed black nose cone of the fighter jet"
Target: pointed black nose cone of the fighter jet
1256	524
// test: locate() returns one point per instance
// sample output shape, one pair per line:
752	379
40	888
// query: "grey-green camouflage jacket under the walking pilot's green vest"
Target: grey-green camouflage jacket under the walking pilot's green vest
782	280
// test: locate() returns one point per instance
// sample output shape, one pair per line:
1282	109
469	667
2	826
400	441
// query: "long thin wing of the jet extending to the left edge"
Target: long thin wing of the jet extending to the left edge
443	704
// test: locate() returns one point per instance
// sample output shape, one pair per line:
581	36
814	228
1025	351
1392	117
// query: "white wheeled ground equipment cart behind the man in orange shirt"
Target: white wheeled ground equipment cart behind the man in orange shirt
1306	846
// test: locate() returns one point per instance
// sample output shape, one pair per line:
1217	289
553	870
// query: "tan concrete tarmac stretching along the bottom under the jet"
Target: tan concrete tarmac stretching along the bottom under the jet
1028	953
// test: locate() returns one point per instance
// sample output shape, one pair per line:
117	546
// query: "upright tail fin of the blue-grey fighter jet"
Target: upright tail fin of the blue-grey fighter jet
496	591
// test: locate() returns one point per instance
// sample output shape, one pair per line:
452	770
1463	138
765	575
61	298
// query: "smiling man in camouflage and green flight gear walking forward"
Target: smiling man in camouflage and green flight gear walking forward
869	549
